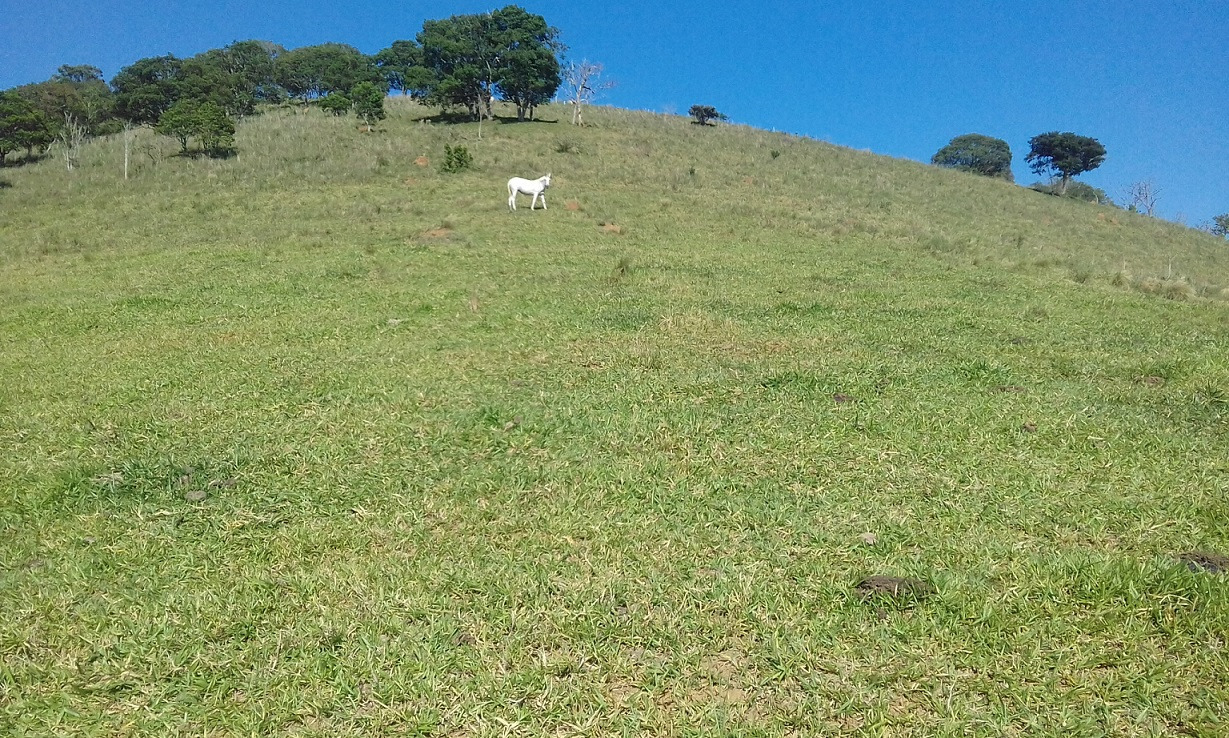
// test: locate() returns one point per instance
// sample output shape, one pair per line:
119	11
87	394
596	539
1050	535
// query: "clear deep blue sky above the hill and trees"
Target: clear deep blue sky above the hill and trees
1149	79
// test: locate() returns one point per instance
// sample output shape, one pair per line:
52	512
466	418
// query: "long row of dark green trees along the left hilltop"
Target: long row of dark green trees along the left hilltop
461	63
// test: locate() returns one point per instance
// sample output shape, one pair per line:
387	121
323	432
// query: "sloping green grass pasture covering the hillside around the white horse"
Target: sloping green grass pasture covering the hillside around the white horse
316	441
